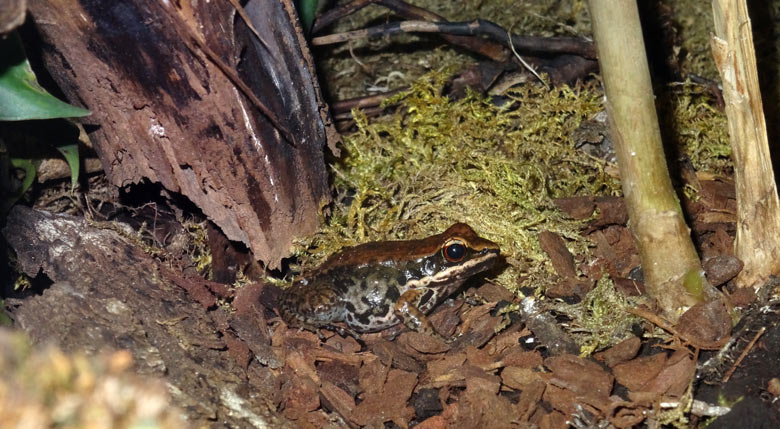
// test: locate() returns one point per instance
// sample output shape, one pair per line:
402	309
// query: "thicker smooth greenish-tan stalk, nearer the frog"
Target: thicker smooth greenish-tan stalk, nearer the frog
671	266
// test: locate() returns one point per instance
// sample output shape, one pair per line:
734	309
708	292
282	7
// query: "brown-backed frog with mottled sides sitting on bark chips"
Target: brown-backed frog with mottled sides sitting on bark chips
377	285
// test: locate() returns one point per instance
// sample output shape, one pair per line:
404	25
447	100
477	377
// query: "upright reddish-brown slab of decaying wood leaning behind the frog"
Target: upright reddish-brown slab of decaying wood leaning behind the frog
162	81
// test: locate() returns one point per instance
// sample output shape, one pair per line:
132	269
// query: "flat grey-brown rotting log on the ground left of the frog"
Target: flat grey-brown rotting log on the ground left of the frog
108	294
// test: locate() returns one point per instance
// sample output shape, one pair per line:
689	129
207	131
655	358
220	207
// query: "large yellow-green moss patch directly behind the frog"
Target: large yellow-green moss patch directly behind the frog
438	161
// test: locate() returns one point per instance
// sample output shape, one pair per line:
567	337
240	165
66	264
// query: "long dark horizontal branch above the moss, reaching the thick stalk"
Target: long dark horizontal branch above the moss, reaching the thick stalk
479	27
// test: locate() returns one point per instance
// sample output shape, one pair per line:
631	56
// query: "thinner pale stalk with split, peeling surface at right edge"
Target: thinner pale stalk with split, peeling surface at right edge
758	210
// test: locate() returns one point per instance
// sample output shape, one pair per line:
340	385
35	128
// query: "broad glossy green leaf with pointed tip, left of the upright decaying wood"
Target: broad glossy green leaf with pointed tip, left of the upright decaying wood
21	97
